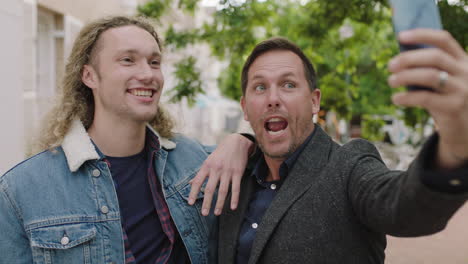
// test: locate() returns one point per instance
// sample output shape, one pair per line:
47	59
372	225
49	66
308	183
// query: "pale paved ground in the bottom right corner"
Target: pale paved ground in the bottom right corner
447	247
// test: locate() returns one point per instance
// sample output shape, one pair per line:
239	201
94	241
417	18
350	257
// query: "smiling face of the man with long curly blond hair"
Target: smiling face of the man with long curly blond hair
125	74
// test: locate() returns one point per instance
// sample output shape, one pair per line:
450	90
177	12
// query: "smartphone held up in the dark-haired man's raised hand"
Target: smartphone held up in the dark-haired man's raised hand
409	14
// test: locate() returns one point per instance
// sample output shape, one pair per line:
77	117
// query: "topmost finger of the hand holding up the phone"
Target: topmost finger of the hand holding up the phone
439	38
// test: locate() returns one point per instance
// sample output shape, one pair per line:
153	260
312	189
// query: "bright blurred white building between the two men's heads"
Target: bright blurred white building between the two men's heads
212	116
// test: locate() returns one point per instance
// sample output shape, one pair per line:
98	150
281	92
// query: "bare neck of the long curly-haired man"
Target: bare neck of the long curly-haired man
117	137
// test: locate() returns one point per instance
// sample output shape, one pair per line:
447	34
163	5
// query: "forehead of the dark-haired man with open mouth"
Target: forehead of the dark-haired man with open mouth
276	62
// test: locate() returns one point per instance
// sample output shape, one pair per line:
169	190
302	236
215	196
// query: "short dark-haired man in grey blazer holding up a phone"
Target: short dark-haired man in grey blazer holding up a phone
307	199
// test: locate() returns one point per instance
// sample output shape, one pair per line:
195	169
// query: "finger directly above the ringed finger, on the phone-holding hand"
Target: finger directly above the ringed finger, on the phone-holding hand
432	57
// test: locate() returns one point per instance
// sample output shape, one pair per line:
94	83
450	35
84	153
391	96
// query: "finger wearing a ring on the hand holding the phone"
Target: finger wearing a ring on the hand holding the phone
428	77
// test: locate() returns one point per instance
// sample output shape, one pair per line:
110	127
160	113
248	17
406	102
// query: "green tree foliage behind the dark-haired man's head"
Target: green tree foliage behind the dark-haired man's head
349	42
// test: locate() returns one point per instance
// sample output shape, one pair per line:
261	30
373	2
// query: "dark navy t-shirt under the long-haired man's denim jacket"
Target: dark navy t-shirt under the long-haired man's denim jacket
139	216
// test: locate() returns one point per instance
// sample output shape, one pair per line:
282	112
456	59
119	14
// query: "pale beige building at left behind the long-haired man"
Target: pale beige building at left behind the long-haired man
37	36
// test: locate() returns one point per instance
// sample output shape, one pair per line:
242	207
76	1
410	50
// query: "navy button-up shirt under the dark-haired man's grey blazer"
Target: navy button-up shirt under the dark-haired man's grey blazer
261	199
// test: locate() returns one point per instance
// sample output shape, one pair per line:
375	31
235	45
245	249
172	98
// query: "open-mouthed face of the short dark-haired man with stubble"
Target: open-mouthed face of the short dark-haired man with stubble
278	103
